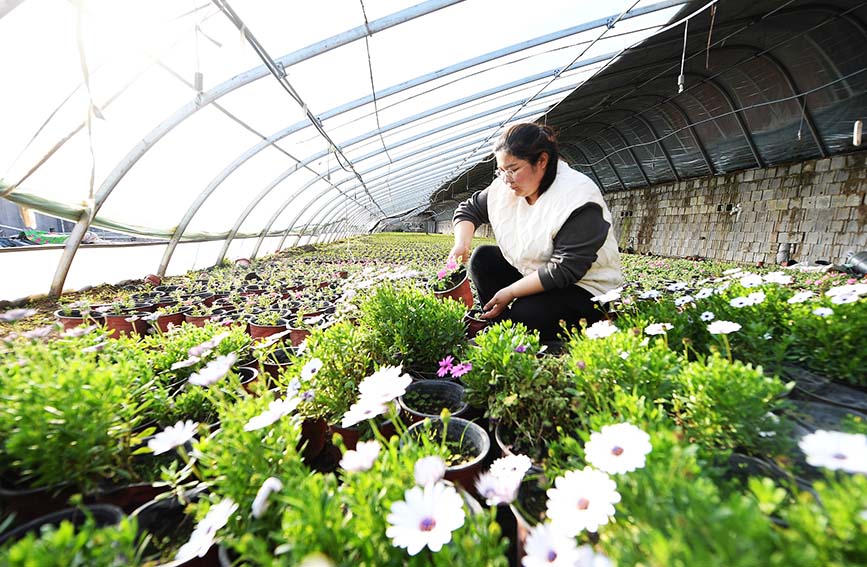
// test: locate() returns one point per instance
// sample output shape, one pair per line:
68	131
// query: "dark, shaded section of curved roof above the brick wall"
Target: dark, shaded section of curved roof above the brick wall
765	82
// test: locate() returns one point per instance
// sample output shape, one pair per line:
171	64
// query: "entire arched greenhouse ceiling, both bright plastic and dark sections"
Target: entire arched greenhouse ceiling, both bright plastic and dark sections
230	120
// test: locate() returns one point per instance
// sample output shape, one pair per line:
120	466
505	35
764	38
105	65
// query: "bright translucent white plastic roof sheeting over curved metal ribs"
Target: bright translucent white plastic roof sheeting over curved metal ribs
189	119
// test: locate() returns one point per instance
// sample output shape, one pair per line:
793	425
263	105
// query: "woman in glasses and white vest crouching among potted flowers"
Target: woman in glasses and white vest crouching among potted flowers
556	247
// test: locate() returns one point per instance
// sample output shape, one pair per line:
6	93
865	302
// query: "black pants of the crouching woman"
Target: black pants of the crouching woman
543	311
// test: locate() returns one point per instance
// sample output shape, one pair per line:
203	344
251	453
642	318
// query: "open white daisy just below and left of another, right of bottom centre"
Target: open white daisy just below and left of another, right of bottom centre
582	500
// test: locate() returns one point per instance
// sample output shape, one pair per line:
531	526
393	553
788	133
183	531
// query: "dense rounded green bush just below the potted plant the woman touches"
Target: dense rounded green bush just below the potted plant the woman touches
411	327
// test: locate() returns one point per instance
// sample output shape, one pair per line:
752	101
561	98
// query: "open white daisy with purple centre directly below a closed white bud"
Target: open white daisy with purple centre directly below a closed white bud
426	517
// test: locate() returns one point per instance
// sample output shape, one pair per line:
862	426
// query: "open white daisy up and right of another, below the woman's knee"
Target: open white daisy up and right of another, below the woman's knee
618	449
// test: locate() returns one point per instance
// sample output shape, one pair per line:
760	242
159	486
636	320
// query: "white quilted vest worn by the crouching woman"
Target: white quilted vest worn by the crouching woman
525	233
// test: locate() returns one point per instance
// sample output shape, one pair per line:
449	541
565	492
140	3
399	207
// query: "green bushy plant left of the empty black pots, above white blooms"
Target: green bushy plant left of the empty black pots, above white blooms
346	361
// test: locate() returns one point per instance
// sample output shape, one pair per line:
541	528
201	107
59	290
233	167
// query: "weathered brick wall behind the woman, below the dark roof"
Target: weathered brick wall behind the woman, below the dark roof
817	207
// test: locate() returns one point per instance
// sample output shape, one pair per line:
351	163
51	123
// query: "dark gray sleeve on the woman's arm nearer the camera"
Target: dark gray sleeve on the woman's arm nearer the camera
575	247
